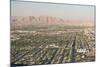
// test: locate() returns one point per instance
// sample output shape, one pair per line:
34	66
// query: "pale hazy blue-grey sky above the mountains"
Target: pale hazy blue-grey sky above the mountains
64	11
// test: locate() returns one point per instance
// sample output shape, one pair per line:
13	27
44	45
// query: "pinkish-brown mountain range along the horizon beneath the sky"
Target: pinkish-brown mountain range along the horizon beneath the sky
27	21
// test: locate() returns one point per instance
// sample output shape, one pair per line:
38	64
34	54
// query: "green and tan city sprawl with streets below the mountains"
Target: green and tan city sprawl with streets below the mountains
35	47
